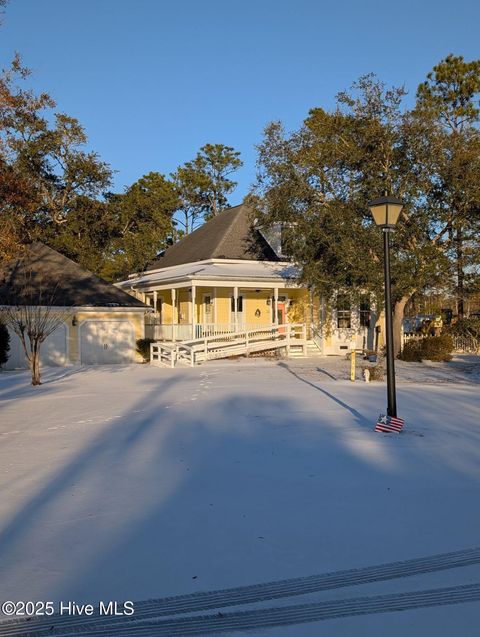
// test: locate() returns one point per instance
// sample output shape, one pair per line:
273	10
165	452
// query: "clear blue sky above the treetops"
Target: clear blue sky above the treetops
152	81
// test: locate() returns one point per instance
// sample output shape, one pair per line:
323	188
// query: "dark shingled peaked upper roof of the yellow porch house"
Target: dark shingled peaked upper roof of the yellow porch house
230	235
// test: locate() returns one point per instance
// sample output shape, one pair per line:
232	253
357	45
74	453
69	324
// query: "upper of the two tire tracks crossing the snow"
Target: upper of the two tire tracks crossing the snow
204	601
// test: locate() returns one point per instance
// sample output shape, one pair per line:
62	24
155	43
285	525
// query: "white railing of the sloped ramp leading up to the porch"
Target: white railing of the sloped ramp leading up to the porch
233	343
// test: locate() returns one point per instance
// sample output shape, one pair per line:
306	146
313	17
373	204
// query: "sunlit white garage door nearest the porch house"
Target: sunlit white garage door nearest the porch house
107	342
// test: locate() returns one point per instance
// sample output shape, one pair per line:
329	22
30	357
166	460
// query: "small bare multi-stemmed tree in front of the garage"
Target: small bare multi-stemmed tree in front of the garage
33	312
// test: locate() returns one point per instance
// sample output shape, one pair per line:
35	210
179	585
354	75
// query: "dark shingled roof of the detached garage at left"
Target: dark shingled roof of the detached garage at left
42	273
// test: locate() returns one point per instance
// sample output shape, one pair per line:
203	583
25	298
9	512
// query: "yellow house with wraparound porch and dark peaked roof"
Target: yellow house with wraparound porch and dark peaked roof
230	275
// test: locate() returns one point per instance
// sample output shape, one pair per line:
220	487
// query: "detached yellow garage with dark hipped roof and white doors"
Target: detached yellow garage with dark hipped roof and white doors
105	321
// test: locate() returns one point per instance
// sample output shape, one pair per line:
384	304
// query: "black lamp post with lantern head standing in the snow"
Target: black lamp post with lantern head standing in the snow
385	212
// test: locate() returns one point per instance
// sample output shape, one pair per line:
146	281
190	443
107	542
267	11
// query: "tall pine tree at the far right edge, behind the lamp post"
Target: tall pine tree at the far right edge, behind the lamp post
448	106
